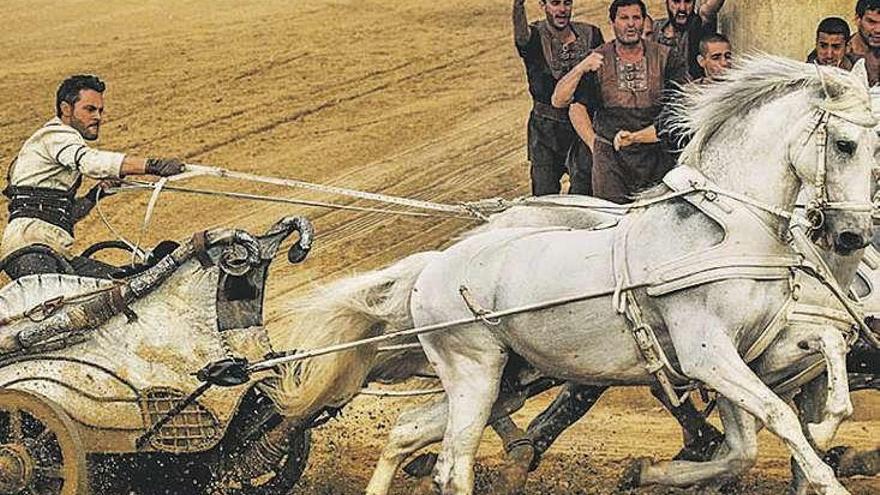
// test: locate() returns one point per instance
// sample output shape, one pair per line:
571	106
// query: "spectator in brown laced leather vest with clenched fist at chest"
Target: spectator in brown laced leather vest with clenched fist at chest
624	97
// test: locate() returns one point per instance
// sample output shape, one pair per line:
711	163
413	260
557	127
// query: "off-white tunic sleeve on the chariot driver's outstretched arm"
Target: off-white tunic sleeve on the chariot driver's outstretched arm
67	148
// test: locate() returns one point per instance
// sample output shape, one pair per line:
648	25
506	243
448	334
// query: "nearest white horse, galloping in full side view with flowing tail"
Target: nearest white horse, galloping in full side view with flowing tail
756	141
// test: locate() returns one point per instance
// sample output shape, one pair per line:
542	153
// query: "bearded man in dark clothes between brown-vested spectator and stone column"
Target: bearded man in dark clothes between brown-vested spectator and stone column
684	26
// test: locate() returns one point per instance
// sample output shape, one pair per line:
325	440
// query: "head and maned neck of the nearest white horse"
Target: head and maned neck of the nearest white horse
774	126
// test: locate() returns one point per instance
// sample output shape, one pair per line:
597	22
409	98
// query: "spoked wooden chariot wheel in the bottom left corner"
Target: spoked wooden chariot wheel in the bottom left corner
40	449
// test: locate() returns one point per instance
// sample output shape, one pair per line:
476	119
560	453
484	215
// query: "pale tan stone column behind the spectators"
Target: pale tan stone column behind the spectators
783	27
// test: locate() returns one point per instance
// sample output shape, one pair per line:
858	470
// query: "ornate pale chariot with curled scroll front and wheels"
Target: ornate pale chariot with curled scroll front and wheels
99	375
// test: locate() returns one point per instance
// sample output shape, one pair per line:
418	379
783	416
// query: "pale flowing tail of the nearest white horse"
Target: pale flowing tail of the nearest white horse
351	309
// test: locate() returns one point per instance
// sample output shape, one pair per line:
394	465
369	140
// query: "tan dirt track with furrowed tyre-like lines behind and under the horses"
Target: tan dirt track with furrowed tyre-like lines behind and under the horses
423	99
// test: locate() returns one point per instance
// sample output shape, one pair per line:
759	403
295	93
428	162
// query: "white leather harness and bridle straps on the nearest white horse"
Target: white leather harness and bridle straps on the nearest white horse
726	261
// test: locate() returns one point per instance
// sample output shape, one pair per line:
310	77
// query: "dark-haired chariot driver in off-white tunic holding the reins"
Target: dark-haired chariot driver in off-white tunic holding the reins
43	180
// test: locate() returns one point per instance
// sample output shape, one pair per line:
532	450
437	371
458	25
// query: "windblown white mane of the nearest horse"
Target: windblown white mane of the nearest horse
701	110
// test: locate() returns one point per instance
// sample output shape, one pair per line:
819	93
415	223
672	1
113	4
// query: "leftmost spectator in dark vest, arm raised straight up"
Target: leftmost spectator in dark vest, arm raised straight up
549	49
